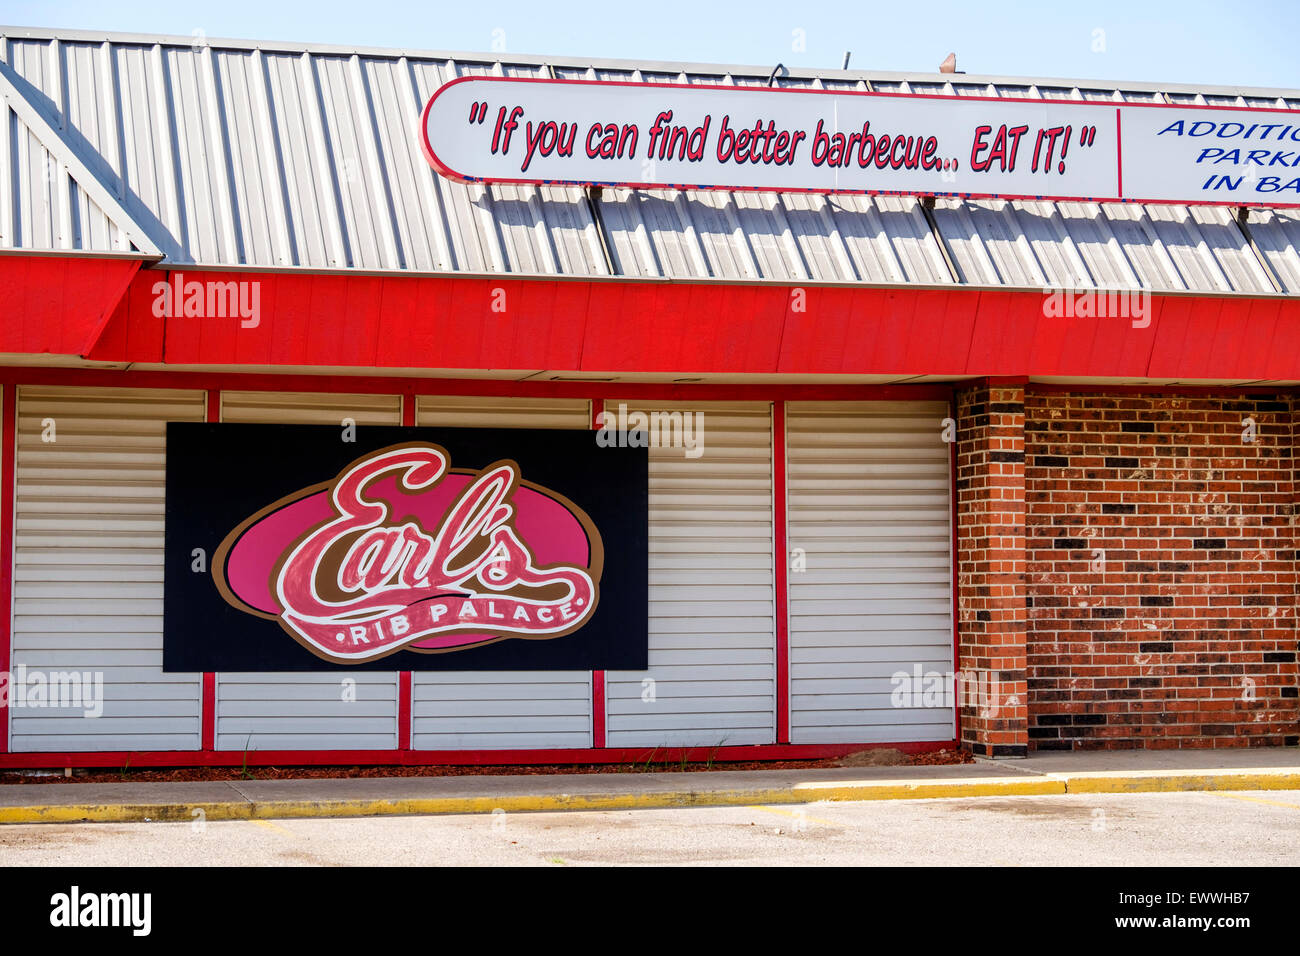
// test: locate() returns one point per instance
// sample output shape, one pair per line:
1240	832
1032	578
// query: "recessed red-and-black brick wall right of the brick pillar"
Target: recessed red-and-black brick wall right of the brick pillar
1162	574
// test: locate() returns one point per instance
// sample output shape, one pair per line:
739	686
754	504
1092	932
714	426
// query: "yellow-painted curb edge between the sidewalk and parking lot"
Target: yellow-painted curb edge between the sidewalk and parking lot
1043	785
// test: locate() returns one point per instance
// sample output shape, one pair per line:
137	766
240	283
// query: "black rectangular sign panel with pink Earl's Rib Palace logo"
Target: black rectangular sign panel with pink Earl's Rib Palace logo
306	548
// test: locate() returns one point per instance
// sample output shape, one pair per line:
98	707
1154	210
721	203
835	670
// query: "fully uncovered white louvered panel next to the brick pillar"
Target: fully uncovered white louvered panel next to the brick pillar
869	504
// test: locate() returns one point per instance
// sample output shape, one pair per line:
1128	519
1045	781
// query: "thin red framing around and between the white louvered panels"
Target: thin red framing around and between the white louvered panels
410	390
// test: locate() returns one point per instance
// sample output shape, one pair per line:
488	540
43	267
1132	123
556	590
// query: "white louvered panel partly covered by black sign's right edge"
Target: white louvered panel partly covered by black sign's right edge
713	637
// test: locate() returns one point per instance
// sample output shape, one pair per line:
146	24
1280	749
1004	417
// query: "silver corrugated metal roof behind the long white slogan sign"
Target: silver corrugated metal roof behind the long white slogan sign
279	155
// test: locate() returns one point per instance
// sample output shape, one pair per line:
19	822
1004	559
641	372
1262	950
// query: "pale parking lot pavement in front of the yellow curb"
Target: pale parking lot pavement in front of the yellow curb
1181	829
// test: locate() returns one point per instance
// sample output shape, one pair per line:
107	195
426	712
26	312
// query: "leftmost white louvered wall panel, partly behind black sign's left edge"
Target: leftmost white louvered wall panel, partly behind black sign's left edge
88	581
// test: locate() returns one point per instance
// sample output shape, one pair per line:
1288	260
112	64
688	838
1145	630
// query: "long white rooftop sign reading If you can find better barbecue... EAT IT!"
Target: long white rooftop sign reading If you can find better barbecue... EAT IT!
658	136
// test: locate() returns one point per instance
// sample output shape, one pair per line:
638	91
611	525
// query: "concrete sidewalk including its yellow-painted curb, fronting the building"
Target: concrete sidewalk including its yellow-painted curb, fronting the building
1126	772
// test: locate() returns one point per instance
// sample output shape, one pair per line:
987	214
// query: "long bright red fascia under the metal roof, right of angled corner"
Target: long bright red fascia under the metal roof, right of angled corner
630	327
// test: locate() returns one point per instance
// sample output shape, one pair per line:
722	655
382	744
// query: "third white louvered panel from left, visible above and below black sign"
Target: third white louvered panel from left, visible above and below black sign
483	711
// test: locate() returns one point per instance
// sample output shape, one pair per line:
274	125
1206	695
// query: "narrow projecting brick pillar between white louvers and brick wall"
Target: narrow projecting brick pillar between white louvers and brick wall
991	570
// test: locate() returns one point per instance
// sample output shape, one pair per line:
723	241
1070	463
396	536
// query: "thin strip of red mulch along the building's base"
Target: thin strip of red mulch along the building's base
931	759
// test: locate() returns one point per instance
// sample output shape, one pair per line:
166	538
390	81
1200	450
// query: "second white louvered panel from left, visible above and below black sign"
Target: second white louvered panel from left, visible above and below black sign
309	712
